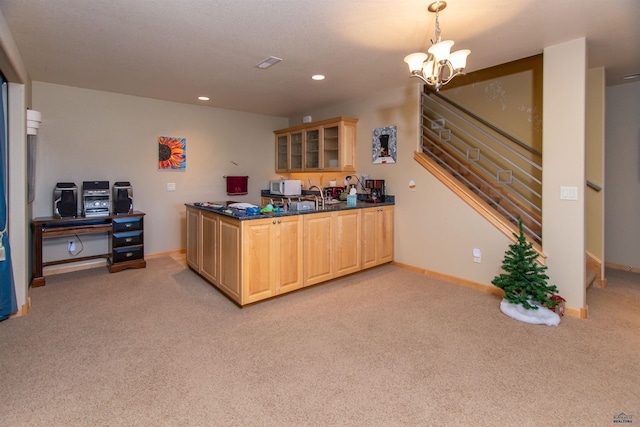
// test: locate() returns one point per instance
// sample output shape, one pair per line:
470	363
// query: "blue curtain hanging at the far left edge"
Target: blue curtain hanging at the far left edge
8	304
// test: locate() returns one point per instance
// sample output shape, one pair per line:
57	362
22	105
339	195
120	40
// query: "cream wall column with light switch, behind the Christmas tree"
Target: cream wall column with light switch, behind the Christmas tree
563	162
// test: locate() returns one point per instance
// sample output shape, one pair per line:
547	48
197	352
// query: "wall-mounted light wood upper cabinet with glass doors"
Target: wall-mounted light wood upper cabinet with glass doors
327	145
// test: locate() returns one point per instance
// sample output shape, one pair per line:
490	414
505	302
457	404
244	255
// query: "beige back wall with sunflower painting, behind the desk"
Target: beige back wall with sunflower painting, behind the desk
90	135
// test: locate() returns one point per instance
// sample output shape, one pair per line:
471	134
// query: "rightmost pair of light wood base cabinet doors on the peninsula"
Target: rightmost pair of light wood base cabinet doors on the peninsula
377	236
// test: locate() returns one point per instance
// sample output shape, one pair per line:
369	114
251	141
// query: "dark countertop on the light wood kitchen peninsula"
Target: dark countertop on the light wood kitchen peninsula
222	208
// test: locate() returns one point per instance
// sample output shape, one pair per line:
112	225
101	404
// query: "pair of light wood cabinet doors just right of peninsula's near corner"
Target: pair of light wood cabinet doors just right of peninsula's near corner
271	257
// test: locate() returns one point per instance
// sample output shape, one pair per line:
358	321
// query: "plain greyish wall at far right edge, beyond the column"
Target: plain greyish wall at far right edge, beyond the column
622	174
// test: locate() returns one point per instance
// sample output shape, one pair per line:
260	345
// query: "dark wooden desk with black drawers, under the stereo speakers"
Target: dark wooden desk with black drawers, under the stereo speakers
126	245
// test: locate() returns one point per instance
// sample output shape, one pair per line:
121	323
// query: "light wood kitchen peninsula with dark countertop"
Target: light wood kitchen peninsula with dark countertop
254	257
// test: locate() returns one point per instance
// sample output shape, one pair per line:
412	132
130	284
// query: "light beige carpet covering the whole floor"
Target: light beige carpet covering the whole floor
387	347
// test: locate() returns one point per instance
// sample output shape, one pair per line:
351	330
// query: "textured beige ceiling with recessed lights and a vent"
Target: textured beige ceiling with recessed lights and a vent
177	50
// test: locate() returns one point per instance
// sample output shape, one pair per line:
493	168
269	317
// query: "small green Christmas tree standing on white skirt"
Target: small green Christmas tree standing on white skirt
525	280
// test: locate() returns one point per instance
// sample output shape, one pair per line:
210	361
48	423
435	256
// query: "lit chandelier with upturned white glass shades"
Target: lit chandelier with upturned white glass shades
439	66
